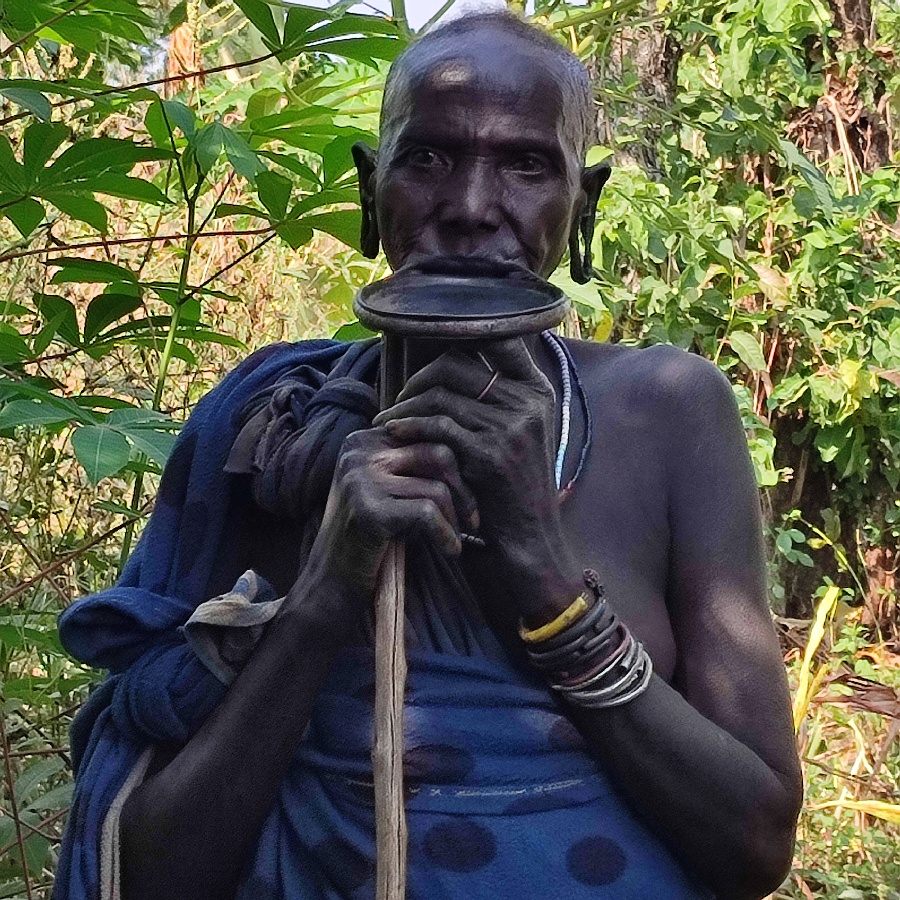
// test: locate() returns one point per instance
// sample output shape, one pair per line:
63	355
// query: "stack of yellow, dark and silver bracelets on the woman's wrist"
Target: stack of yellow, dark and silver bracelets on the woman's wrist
588	654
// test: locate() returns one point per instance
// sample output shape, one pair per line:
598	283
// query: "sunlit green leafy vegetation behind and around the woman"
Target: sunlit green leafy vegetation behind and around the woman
176	190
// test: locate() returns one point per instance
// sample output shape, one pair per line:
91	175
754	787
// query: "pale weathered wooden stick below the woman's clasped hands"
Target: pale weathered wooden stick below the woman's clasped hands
387	750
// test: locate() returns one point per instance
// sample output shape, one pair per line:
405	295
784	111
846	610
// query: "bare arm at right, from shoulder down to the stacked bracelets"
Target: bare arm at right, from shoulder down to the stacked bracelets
710	762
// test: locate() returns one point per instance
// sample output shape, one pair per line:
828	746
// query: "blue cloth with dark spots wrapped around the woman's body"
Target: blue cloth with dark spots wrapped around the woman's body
505	800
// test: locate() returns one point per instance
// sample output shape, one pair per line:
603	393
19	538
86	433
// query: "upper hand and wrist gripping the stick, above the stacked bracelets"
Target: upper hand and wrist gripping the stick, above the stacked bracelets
505	445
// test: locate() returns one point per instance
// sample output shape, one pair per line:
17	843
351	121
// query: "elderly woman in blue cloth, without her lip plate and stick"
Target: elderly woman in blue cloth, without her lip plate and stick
565	739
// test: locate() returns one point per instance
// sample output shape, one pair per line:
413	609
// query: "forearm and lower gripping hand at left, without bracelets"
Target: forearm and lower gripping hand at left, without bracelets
191	828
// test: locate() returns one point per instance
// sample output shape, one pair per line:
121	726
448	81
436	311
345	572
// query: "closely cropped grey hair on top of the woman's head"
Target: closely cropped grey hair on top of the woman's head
443	53
